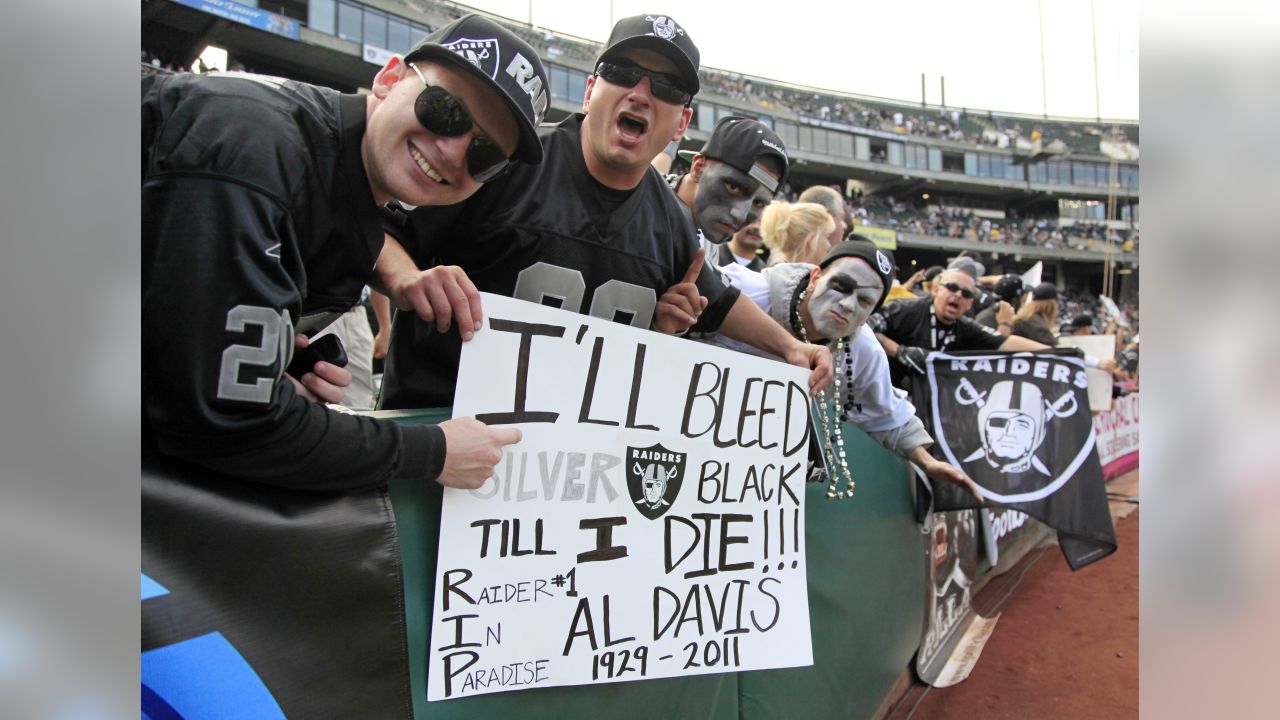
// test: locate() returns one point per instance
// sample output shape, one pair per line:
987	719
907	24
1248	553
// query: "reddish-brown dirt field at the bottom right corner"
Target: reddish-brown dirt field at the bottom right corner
1067	645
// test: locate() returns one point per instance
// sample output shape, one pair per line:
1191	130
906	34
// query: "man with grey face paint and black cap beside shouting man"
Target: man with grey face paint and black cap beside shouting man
732	181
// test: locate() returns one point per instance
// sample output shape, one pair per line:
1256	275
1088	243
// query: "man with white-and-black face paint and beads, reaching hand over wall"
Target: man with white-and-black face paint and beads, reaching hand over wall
831	304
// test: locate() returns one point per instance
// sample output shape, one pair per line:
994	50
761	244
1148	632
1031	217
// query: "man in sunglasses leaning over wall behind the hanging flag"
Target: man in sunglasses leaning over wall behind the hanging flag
909	330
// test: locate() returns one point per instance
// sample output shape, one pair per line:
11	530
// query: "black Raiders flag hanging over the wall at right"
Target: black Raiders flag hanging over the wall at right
1021	427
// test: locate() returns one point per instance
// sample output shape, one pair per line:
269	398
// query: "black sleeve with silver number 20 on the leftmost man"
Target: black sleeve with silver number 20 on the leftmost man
221	280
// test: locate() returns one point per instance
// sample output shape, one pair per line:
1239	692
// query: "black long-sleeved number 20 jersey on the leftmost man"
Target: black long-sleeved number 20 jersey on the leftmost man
258	221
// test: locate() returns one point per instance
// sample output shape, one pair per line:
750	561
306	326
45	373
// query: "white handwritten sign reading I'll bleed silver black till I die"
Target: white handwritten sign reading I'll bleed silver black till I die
650	523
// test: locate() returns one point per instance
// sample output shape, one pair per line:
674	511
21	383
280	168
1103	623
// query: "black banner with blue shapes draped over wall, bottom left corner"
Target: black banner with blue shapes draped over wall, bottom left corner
268	603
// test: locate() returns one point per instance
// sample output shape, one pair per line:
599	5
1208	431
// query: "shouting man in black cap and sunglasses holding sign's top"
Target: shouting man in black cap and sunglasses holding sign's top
593	230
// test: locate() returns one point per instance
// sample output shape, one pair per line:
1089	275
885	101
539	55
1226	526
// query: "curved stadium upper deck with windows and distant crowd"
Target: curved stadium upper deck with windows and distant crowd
1005	167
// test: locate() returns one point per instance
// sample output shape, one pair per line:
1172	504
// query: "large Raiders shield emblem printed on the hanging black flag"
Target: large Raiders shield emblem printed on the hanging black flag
1020	426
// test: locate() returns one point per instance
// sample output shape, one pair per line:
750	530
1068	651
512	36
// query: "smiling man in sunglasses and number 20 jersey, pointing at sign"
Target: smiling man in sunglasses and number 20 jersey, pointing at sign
260	221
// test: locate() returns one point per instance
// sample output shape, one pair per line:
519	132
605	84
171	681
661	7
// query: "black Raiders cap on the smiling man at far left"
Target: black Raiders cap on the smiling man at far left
497	56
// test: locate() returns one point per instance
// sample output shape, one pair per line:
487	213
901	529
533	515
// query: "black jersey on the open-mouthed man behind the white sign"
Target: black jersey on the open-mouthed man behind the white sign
546	234
